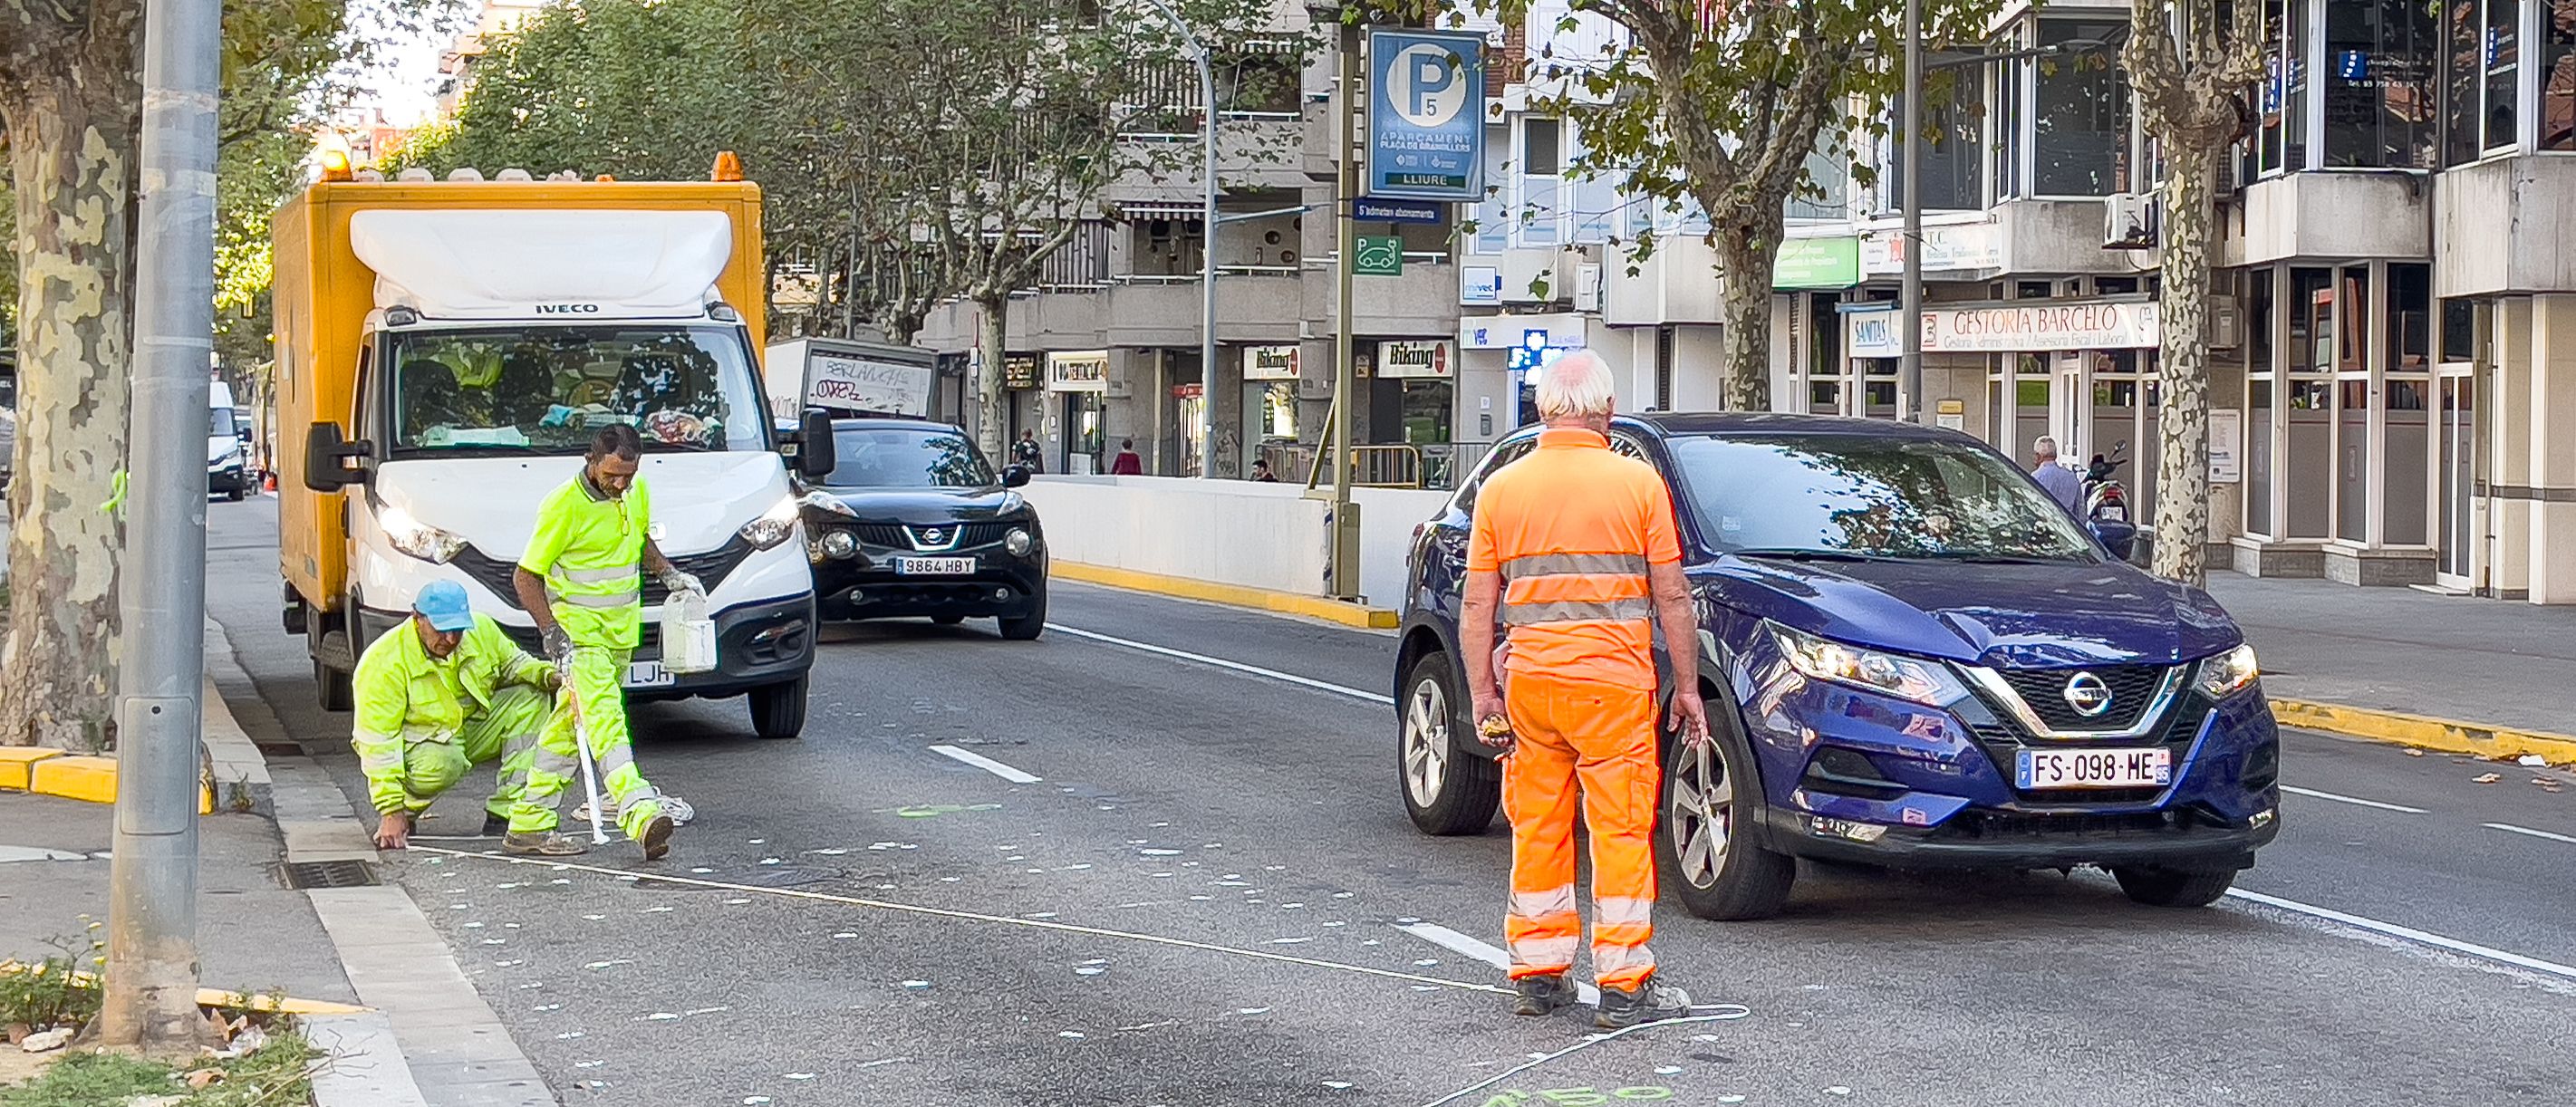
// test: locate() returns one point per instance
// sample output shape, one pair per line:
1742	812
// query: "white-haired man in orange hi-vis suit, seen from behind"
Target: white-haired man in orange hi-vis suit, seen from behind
1575	552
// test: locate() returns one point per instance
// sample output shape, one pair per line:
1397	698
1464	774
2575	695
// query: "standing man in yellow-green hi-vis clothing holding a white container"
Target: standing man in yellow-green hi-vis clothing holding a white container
583	583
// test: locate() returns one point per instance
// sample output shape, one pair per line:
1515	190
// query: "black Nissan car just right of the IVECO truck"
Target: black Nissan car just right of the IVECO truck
913	521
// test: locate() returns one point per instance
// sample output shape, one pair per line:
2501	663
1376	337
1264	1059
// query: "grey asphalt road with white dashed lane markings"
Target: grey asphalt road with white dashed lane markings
1209	897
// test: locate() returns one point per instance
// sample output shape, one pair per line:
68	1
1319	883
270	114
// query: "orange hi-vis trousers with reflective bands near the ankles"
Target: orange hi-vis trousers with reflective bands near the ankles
1601	738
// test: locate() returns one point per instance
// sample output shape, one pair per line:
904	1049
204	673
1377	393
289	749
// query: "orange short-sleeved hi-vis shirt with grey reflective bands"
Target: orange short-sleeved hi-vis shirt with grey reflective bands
1573	532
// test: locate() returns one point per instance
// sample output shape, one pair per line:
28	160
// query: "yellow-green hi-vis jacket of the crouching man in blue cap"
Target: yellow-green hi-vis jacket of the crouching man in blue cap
406	696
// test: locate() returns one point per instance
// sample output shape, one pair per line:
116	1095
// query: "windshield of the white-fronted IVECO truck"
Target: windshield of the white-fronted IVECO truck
547	390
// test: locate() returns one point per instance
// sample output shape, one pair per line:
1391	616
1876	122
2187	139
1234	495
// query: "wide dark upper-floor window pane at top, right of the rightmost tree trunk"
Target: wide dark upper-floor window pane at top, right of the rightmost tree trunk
2382	84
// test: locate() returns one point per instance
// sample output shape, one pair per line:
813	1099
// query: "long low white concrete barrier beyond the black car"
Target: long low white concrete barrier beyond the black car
1240	534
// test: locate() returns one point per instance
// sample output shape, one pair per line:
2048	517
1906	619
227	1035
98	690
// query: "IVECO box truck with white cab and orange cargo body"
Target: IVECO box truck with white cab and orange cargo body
447	349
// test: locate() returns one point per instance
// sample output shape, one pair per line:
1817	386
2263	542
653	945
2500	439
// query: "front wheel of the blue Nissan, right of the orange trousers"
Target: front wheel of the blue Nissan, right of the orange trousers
1714	869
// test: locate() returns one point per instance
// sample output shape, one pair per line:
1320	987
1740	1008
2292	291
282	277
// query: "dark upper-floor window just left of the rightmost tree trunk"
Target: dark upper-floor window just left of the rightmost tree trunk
2080	122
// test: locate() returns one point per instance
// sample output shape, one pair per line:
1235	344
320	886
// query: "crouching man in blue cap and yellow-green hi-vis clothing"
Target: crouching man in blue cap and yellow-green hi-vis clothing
437	696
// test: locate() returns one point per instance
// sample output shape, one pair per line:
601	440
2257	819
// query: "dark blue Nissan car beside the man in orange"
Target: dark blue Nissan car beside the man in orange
1913	658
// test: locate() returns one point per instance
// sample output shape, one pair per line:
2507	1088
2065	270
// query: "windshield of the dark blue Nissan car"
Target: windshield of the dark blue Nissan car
1866	496
